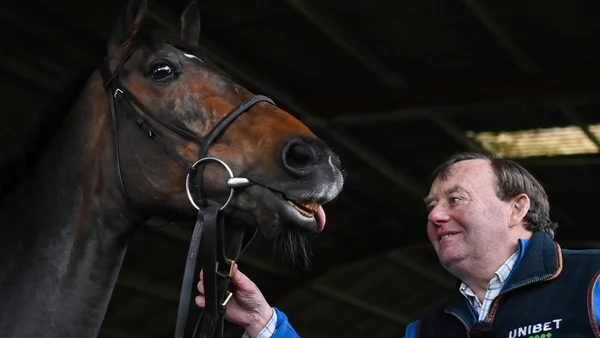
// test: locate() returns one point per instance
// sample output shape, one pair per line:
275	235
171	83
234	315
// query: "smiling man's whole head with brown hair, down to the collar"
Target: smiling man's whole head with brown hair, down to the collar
472	227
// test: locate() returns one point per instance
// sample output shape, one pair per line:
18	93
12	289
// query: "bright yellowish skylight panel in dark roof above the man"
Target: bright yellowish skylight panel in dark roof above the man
557	141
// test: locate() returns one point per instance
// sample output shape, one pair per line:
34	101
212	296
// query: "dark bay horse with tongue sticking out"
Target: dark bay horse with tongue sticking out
157	130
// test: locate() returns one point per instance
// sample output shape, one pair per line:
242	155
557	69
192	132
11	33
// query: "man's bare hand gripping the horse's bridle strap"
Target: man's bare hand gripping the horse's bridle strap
247	307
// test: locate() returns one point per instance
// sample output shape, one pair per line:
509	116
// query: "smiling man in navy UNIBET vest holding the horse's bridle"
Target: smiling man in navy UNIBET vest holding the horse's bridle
489	224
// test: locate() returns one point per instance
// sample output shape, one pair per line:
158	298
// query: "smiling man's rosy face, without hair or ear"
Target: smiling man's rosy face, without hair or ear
467	220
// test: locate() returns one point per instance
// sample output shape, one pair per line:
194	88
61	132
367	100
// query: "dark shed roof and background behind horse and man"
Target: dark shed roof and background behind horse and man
393	86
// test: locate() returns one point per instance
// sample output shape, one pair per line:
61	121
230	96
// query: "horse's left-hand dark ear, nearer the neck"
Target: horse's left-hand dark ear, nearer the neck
127	25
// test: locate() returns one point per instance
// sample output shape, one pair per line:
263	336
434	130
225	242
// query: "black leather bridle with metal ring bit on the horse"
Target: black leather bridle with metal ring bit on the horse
208	248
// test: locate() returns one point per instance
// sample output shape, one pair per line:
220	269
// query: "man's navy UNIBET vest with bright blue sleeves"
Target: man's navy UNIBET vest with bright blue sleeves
557	289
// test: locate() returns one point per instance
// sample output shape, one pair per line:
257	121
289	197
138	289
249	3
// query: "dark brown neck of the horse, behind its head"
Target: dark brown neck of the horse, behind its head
63	236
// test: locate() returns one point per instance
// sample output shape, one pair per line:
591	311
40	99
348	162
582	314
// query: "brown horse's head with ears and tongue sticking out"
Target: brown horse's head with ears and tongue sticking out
185	102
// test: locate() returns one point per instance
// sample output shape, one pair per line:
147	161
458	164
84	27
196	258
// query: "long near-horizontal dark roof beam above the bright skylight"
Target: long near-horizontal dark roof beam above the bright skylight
450	97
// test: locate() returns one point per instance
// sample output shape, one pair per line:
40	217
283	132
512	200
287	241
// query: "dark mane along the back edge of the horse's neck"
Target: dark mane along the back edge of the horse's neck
19	167
